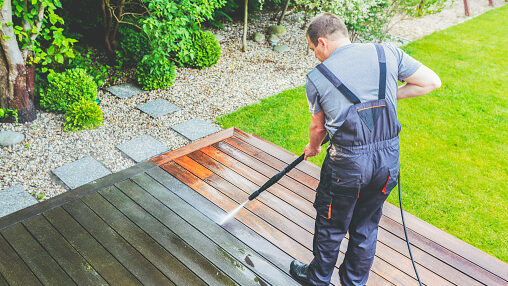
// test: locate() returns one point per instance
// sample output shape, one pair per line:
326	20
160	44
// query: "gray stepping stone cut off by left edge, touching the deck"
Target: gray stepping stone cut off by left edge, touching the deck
14	199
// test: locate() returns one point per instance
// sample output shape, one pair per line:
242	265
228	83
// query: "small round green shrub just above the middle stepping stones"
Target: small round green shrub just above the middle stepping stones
155	74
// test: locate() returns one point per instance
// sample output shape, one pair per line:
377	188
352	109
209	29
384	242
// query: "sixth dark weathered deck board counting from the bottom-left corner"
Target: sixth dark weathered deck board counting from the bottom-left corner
164	261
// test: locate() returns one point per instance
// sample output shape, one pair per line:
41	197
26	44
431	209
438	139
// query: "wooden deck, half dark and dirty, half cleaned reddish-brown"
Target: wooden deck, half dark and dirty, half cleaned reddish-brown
157	223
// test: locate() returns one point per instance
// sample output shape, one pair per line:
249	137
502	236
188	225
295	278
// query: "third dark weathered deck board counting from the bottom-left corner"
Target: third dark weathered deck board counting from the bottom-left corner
73	263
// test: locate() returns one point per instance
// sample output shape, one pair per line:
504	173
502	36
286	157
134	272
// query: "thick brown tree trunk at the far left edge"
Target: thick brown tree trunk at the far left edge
16	79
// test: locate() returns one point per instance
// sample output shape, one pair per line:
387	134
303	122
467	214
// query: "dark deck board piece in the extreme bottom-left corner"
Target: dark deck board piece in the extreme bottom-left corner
12	267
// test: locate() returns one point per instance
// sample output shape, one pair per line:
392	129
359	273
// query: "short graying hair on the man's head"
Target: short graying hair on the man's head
326	25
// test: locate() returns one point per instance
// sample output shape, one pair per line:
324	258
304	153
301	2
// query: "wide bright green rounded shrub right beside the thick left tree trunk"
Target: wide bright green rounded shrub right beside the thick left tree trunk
67	88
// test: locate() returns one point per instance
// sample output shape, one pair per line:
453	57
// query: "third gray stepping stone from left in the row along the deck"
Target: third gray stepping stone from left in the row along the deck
142	148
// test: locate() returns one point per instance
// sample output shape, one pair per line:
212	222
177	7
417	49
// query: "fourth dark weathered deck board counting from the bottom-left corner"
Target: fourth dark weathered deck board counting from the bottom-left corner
100	259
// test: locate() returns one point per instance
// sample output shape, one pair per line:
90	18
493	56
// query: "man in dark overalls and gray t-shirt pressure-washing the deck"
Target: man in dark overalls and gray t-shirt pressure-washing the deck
352	96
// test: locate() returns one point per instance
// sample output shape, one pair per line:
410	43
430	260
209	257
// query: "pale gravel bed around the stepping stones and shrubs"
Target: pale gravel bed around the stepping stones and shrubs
238	79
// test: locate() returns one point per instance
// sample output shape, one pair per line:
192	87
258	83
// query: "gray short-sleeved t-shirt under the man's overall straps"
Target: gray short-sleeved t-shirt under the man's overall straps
357	67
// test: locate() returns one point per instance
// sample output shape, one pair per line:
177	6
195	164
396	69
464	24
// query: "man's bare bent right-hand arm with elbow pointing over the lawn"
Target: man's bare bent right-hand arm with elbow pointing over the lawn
423	81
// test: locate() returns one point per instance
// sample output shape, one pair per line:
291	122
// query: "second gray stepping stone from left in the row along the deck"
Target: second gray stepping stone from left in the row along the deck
81	172
